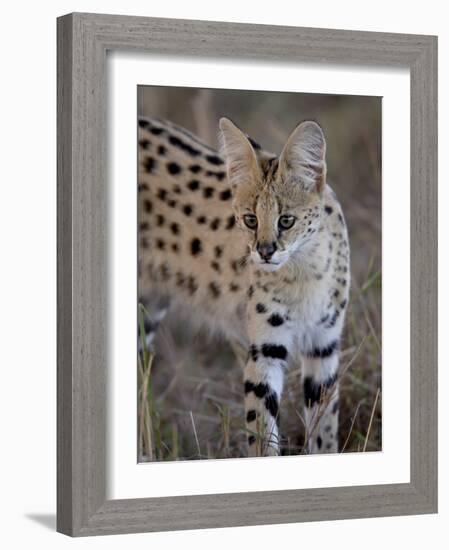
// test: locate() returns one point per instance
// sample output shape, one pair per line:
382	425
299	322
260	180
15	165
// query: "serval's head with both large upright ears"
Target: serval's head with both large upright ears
276	200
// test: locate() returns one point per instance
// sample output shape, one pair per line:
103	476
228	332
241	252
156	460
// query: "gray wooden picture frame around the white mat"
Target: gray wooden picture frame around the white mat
83	41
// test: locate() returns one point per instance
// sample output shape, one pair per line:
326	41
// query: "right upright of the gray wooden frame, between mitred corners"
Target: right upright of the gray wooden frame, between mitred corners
423	275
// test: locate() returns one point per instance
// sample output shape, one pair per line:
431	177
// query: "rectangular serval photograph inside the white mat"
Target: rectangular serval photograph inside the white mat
259	306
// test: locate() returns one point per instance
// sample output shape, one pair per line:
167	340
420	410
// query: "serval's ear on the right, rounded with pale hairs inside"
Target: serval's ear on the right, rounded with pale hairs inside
303	158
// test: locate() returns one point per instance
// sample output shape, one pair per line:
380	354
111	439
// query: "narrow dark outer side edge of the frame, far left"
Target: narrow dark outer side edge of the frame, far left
64	275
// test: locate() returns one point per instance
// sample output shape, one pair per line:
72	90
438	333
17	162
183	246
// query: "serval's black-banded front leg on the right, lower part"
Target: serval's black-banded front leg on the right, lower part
320	369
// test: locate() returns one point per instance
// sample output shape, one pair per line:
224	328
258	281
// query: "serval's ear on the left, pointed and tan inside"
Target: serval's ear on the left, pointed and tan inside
241	160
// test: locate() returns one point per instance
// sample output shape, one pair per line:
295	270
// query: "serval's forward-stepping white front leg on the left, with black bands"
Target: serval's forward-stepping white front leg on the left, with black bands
264	375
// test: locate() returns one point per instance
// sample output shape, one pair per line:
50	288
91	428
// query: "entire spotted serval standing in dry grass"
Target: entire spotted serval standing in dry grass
215	233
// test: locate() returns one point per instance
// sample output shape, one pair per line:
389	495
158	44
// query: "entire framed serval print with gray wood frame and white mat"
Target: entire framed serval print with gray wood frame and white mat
247	284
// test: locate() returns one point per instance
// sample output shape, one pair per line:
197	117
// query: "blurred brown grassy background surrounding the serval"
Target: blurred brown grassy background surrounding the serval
191	399
